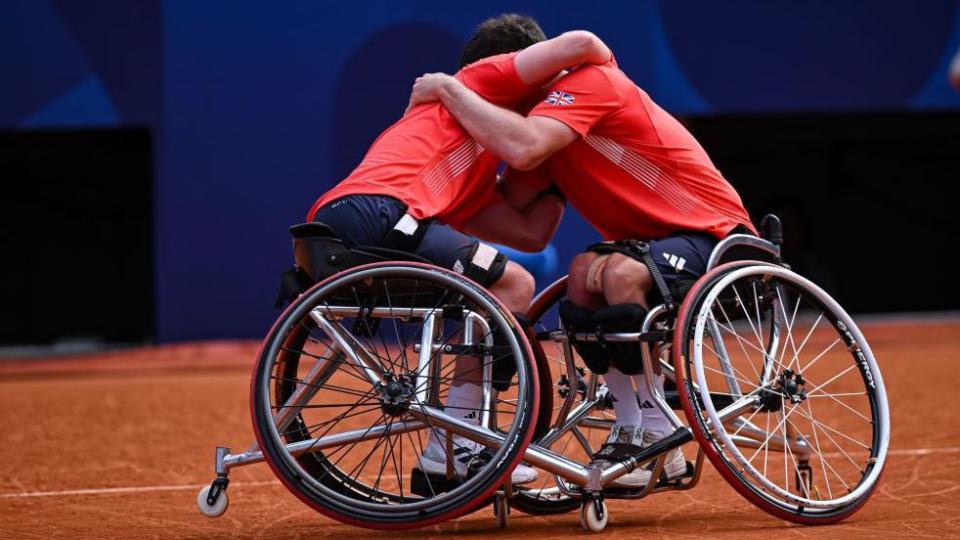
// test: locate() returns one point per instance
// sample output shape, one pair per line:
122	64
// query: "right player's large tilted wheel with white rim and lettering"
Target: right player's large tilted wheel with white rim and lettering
782	392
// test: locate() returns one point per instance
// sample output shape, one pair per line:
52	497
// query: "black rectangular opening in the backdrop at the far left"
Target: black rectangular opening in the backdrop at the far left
76	236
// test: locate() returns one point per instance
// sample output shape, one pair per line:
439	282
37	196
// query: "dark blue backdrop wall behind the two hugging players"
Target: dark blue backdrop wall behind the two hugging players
257	109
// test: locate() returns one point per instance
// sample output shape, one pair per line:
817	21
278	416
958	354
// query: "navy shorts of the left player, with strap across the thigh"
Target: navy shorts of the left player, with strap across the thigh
364	220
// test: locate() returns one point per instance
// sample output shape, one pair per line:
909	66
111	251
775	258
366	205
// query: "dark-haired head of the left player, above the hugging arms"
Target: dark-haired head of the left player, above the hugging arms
507	33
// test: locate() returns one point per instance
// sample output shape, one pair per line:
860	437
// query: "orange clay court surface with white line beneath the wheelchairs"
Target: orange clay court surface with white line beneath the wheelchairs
117	446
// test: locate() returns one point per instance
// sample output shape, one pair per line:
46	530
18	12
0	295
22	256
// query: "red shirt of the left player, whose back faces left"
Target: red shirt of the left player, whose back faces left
427	161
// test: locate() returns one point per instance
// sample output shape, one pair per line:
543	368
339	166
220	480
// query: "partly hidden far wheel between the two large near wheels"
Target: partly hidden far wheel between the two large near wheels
565	386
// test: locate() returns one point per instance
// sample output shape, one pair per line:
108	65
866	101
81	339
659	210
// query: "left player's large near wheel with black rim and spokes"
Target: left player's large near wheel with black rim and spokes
350	396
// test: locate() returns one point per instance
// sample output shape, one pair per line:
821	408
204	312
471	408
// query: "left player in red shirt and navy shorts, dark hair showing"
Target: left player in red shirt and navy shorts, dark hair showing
426	187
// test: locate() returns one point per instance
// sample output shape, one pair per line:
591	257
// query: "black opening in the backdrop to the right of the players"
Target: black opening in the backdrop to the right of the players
868	201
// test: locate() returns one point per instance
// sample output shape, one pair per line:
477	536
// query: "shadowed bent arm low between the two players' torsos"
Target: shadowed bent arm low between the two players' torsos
529	229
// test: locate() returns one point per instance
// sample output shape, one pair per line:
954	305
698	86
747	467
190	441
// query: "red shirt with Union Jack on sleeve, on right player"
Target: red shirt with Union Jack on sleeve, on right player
636	172
